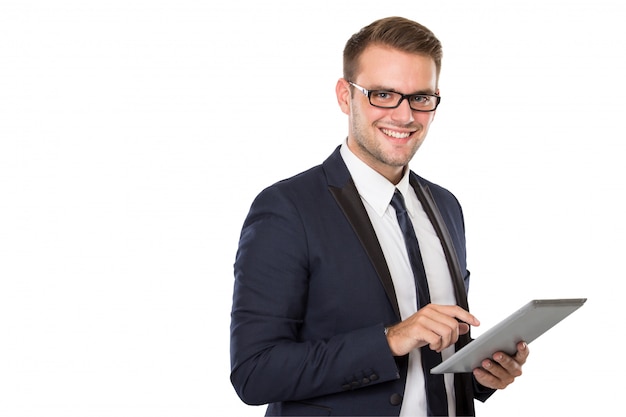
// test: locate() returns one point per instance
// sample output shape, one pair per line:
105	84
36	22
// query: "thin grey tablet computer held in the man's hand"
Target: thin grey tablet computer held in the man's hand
525	324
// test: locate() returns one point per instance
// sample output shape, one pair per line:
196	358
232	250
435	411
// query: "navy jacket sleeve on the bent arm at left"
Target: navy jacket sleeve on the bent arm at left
269	360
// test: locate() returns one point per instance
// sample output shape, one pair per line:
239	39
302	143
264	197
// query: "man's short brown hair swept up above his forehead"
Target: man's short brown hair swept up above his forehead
396	32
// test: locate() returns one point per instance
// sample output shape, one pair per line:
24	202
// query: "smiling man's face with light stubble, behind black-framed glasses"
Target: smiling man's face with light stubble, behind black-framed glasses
387	139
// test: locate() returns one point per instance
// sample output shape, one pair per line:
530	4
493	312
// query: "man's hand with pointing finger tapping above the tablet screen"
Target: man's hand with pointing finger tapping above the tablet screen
438	326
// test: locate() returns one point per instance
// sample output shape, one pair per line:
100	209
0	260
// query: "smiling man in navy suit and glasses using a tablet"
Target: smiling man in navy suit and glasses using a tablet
329	316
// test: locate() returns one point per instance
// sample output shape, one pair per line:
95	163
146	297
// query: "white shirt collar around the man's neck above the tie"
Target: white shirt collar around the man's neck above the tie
375	189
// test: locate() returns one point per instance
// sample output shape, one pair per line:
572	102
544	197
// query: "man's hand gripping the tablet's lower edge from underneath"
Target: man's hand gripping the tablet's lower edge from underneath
503	369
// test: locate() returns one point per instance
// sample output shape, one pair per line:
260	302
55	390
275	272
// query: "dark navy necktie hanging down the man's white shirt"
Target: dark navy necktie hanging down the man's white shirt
435	387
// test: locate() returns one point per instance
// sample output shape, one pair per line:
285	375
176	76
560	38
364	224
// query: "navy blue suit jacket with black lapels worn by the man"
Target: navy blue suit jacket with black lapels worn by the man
313	293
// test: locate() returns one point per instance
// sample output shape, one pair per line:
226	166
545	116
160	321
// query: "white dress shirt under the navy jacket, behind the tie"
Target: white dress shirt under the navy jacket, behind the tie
376	193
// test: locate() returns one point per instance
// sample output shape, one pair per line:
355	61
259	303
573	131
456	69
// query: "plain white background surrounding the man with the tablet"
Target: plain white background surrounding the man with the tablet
135	134
